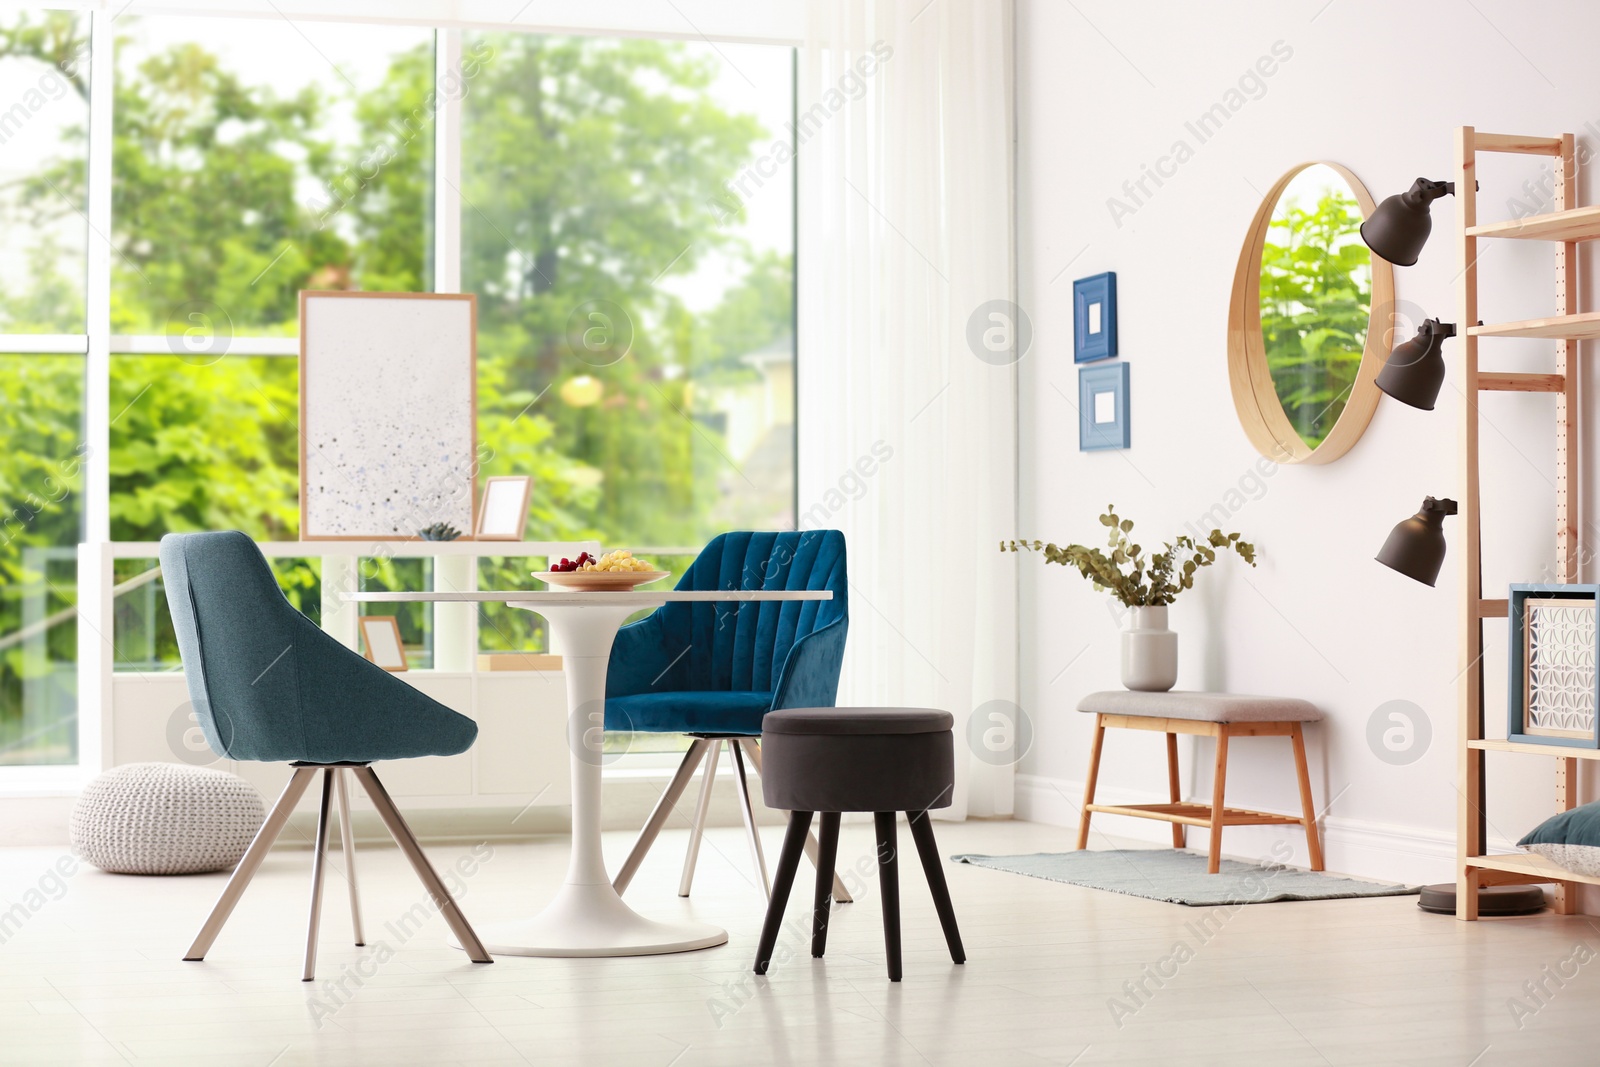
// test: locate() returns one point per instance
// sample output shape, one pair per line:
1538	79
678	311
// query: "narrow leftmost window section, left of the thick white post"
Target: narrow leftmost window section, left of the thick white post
44	118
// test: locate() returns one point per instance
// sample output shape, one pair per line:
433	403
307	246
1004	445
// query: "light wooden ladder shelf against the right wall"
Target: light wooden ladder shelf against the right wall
1566	226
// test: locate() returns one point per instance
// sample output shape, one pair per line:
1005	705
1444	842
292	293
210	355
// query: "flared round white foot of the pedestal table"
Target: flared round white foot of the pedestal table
594	922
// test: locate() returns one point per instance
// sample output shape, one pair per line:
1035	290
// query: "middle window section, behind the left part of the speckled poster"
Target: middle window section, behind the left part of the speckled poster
246	170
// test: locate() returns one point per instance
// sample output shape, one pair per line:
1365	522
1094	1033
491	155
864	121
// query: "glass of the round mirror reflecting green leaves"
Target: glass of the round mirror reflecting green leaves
1316	298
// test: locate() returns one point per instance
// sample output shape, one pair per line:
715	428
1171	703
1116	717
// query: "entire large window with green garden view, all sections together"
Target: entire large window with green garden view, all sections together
620	207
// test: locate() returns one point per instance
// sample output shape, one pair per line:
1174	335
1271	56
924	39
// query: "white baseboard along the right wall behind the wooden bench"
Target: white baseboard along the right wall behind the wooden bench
1385	852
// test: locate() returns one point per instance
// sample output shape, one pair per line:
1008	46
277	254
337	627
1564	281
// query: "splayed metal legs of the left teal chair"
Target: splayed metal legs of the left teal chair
274	826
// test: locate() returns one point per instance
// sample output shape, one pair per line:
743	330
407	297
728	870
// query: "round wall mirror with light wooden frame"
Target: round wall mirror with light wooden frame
1303	346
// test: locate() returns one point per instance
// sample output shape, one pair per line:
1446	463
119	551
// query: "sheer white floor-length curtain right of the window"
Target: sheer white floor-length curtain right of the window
908	348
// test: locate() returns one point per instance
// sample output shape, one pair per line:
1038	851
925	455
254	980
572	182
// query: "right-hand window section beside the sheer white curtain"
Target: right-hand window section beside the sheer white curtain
636	319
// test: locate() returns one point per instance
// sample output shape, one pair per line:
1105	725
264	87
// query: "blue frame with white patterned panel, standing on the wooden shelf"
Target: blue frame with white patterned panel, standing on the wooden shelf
1556	636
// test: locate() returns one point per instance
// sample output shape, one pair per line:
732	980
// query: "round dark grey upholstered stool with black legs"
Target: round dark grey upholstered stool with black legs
858	759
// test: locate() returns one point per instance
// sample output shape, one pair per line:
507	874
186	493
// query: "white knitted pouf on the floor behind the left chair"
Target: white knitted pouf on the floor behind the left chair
166	820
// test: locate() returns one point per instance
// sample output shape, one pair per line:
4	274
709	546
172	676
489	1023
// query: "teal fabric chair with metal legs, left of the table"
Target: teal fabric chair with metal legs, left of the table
268	685
